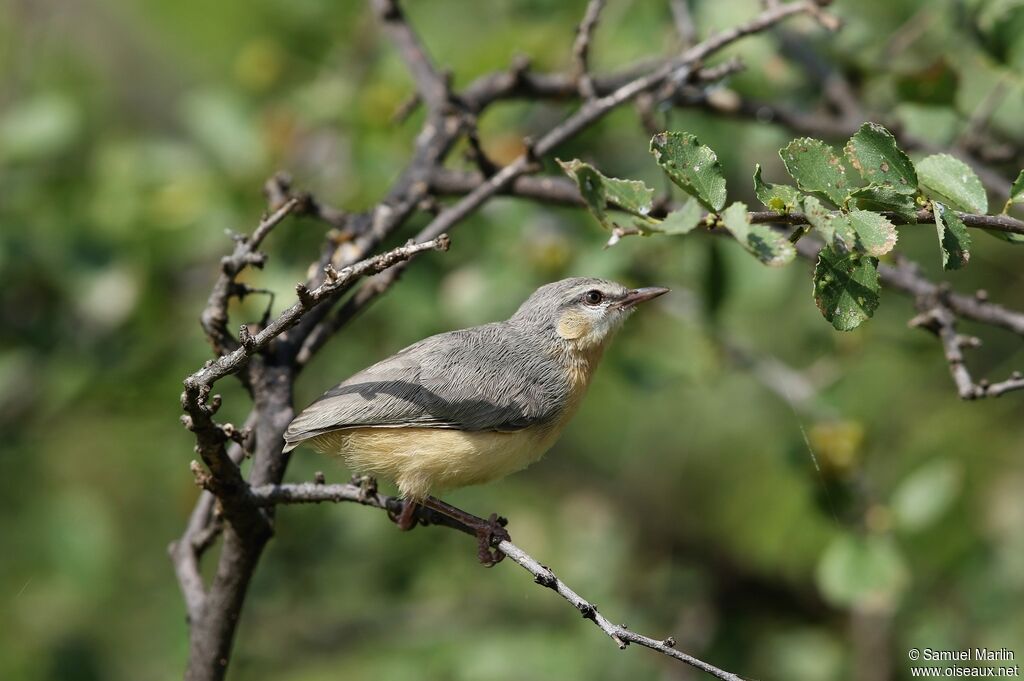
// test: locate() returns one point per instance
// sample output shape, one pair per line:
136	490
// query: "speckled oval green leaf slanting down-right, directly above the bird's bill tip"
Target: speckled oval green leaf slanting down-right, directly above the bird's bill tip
692	166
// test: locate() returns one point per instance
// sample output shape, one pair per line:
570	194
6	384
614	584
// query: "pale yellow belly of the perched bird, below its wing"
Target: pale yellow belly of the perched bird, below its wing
424	461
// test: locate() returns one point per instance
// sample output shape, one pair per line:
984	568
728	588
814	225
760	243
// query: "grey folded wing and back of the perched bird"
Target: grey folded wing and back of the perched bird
477	379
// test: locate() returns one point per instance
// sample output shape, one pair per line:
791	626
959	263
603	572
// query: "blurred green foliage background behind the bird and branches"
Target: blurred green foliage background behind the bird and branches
685	499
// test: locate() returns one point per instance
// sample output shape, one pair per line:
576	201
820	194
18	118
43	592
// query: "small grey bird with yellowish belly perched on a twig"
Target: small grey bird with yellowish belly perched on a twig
472	406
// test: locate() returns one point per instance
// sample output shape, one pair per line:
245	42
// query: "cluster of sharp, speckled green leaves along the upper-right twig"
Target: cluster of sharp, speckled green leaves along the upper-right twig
849	199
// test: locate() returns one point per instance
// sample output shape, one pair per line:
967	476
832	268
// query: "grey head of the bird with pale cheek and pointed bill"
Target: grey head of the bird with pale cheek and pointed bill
583	313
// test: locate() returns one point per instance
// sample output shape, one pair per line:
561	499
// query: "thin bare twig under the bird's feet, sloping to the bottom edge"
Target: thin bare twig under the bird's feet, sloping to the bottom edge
314	493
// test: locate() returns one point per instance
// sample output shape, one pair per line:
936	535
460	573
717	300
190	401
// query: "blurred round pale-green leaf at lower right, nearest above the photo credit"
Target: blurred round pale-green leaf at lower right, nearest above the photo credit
865	572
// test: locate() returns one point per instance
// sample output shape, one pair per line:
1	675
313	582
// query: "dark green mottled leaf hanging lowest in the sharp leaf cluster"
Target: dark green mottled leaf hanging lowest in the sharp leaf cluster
846	288
